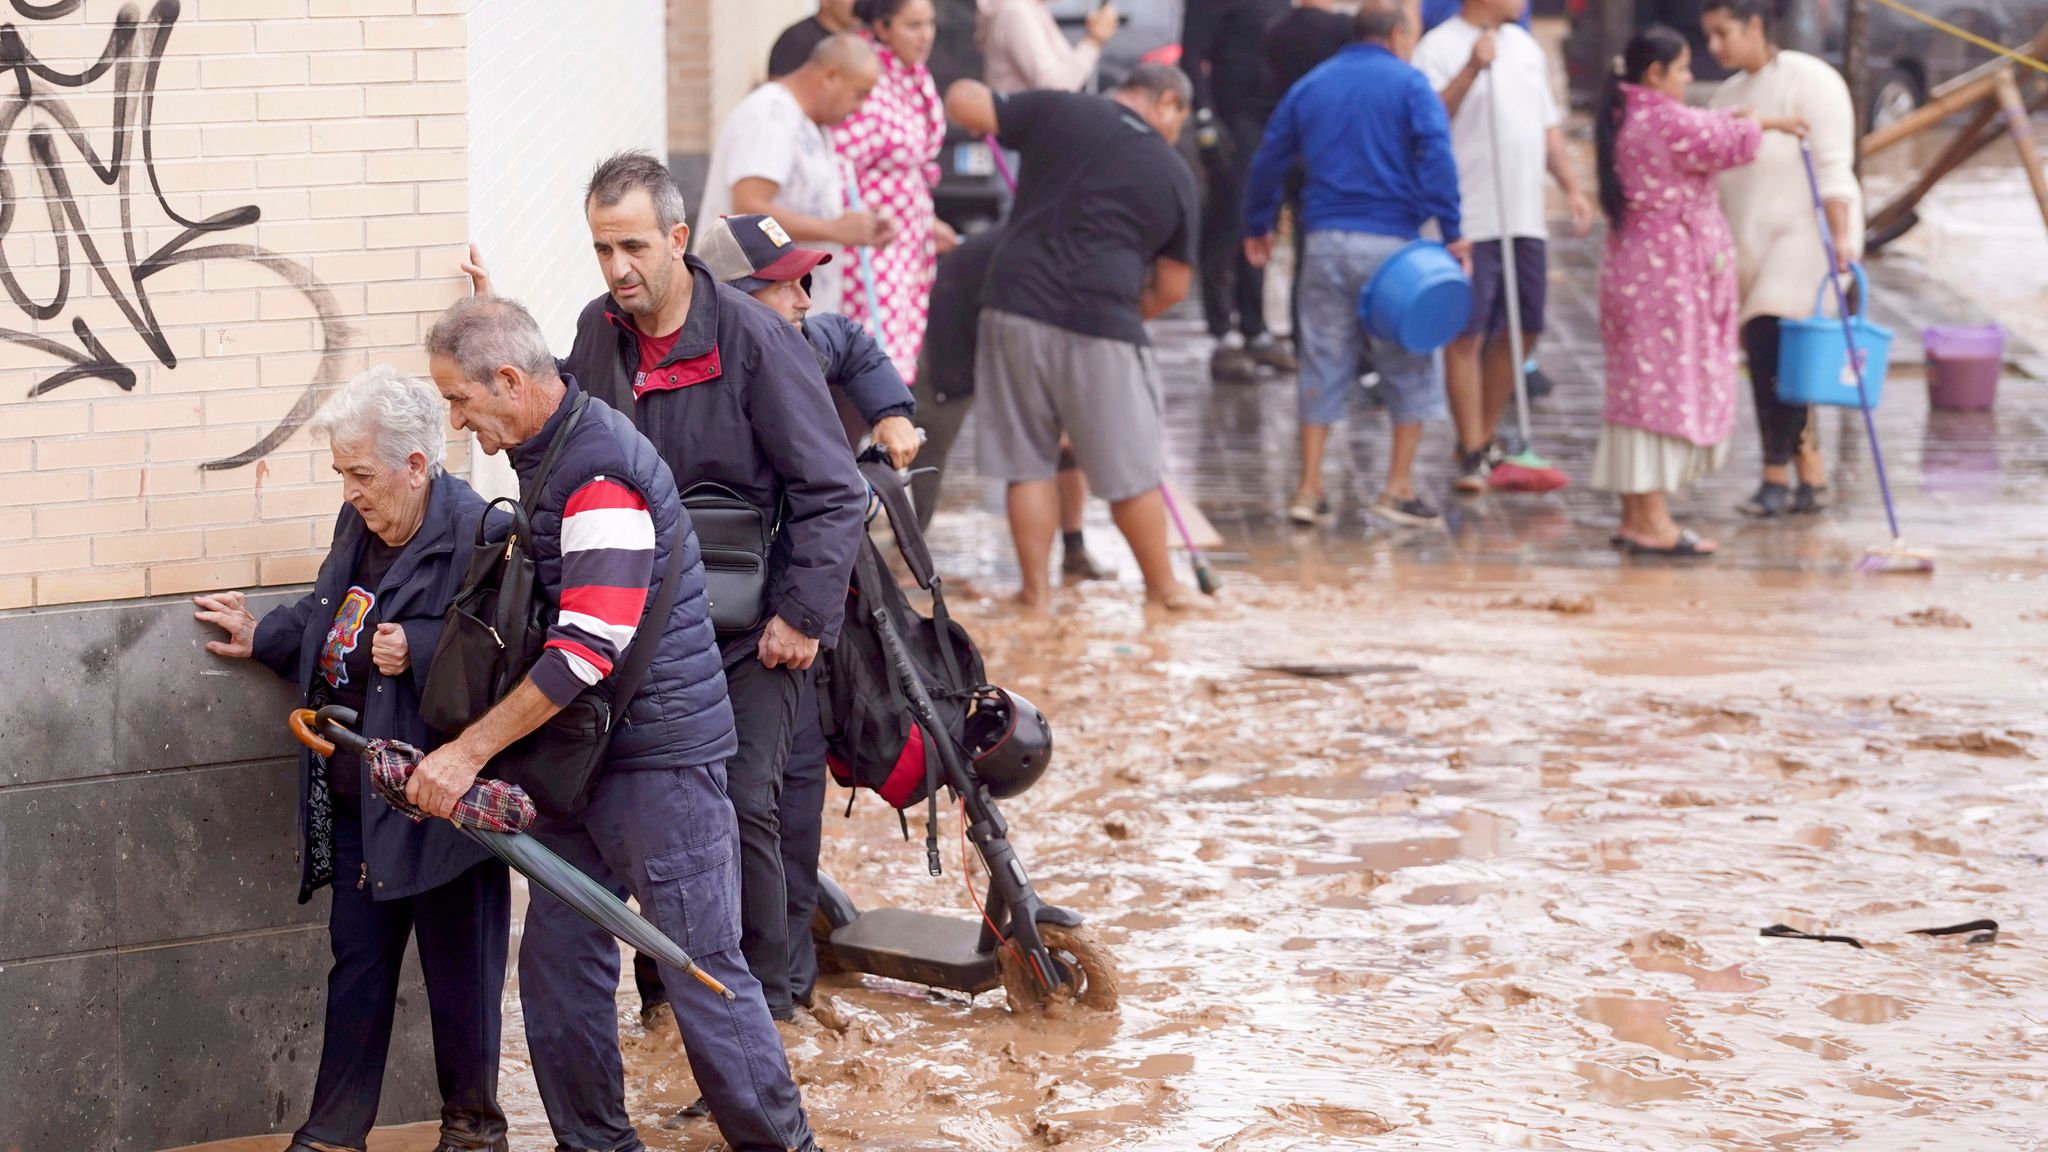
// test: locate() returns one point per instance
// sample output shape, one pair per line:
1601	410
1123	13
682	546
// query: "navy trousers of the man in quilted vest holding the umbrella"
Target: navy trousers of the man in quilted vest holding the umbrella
669	839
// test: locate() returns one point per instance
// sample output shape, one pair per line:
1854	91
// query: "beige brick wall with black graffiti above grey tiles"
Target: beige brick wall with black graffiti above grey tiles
321	153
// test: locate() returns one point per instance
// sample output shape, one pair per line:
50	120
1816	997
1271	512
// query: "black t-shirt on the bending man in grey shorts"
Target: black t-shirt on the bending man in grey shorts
1101	198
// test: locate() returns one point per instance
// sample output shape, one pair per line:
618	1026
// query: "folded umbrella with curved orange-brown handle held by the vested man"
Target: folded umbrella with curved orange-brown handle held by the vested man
493	815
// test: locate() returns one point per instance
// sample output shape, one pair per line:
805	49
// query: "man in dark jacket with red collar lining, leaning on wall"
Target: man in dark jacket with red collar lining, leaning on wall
730	395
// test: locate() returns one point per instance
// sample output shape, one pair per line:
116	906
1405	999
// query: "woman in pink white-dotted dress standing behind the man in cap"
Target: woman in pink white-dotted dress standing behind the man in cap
892	155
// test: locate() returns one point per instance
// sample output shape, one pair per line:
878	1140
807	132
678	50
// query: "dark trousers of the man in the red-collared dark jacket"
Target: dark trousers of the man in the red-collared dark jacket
765	714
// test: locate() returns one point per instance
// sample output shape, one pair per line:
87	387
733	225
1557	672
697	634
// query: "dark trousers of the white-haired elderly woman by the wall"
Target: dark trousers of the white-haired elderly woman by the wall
462	928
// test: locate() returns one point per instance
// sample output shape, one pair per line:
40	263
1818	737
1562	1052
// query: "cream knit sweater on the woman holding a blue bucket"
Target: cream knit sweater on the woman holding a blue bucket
1777	241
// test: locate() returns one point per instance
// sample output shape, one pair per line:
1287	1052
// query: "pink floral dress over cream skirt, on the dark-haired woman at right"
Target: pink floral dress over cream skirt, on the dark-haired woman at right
1668	294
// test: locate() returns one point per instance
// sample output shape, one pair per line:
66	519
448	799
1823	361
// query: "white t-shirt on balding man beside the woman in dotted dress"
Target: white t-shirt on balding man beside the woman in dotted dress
769	138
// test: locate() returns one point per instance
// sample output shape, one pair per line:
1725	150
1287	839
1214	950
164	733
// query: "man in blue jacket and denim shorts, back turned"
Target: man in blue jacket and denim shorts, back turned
1375	142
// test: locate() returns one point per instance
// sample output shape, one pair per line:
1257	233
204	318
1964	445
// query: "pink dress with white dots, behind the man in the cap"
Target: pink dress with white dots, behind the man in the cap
892	151
